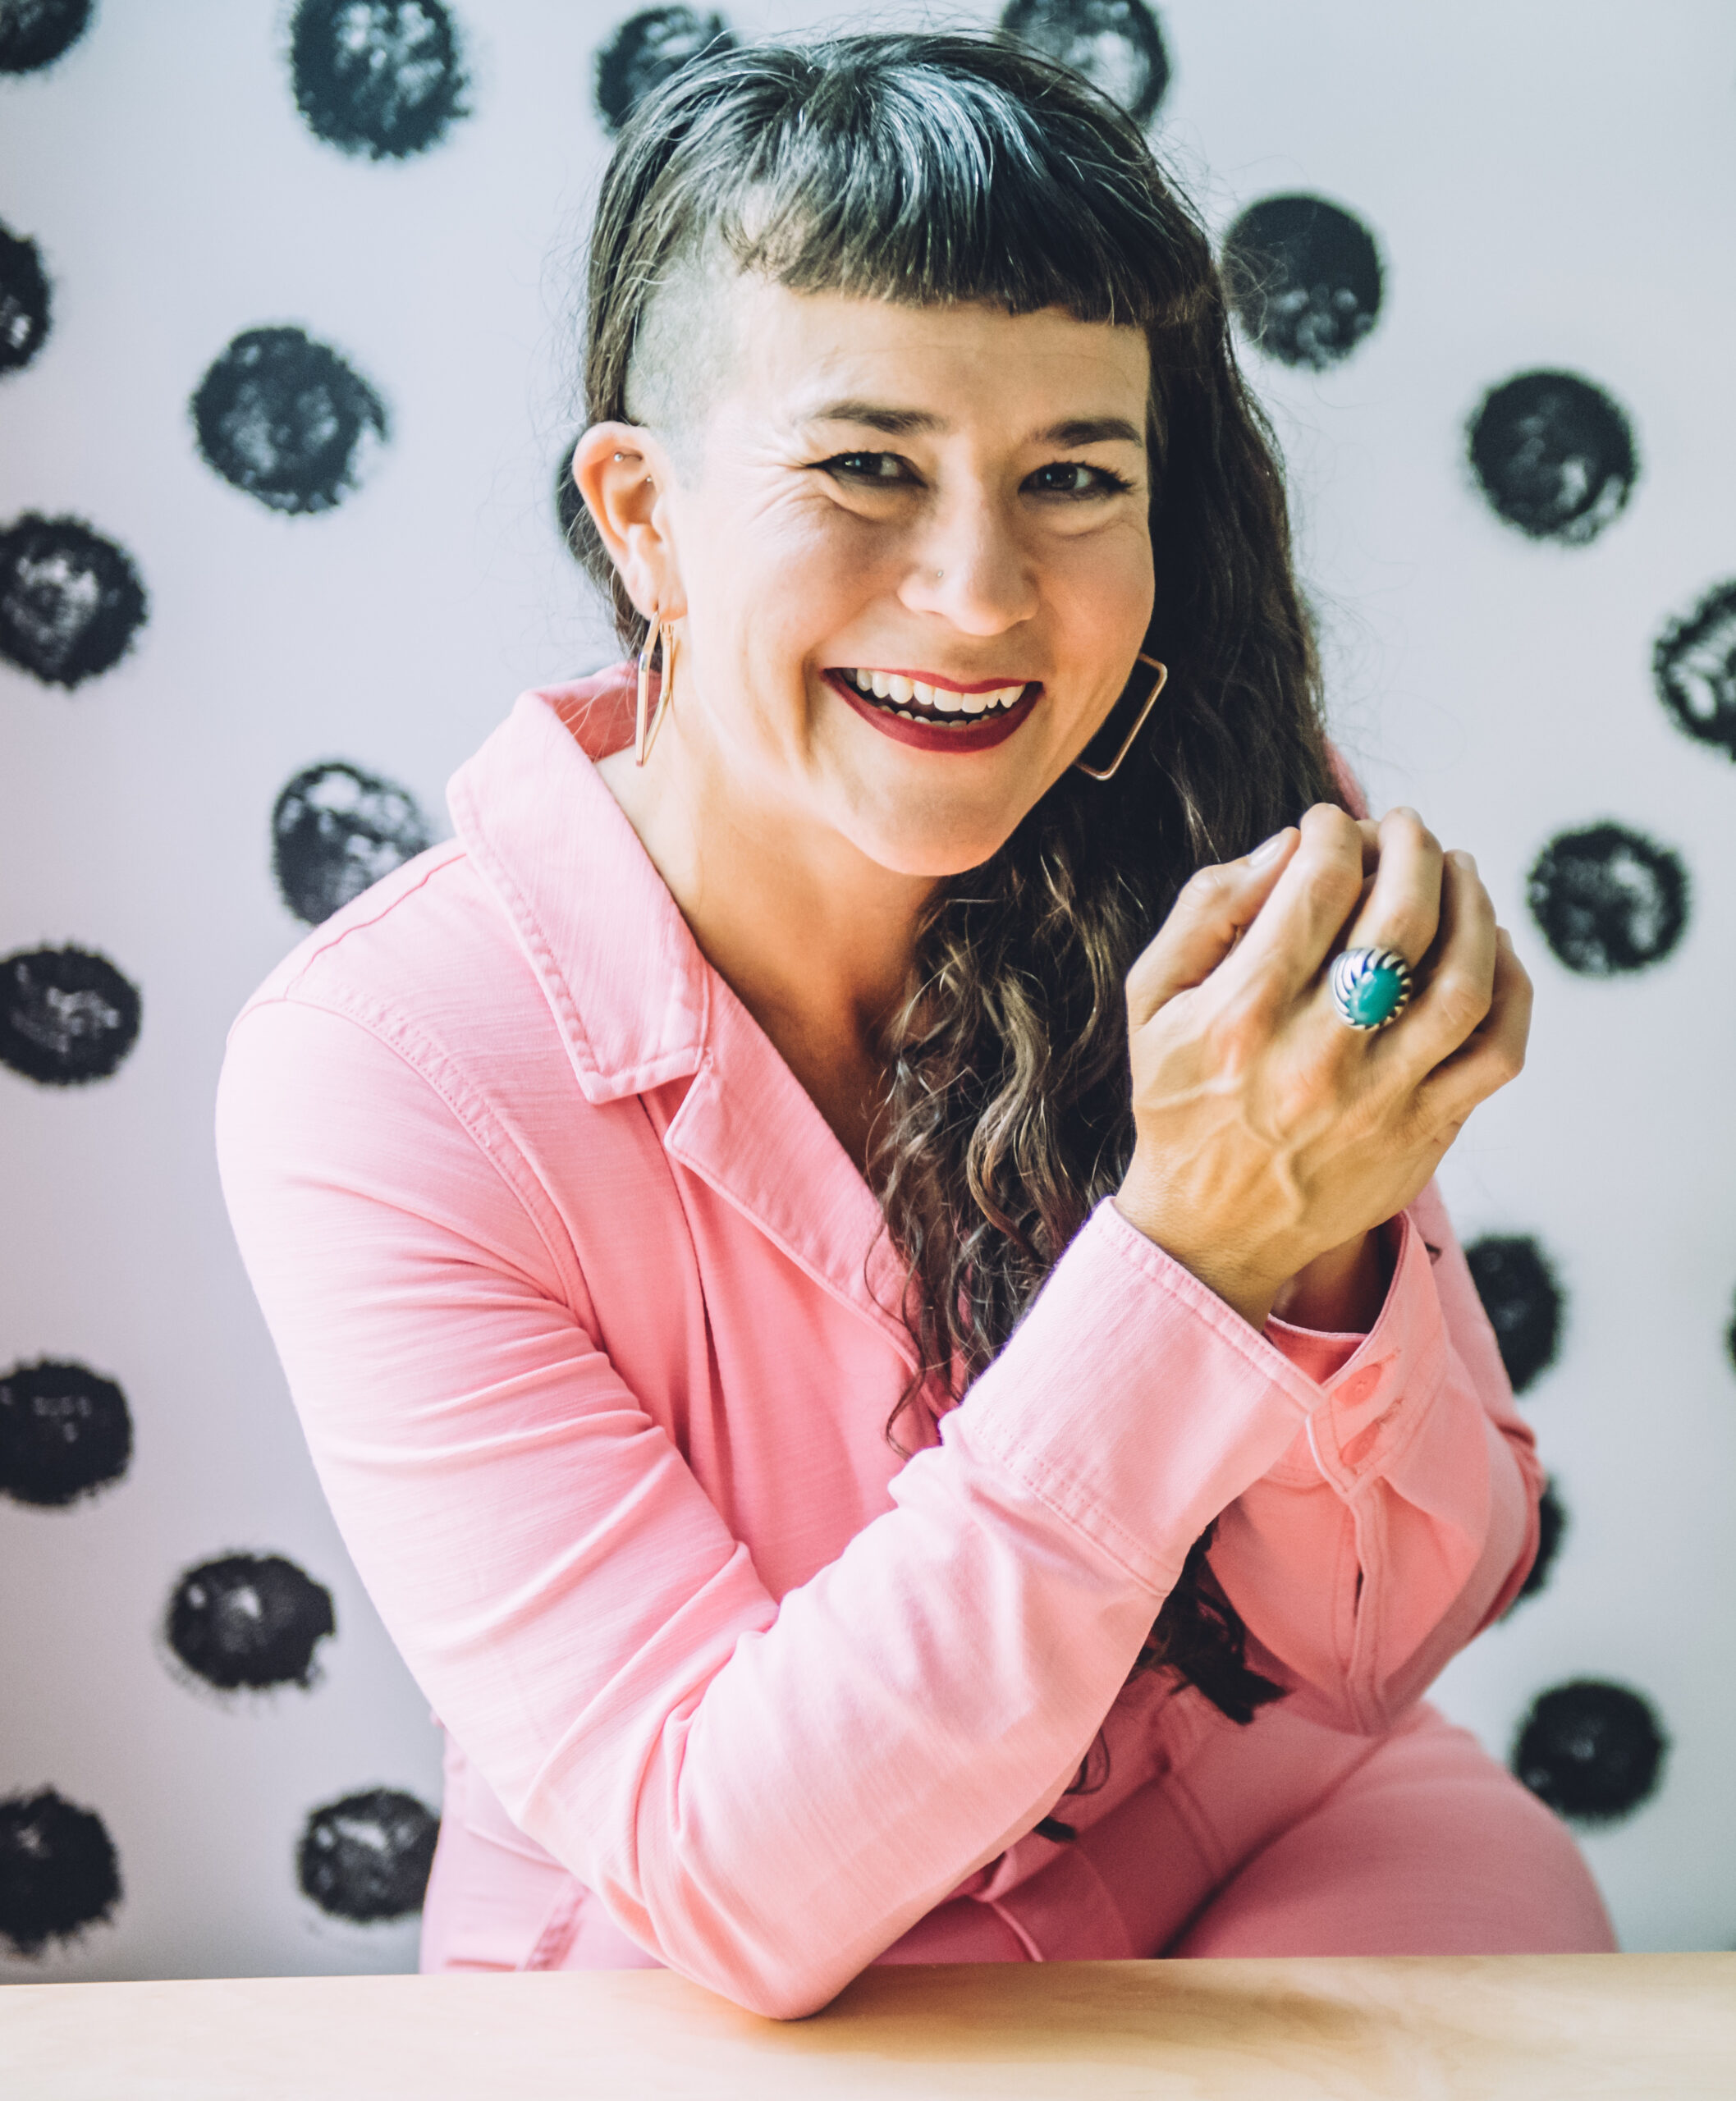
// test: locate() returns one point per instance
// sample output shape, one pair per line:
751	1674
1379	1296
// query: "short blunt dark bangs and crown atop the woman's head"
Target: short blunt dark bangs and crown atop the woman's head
924	171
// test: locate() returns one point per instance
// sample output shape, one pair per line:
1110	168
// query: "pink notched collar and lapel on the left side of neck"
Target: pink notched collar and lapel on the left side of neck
636	1001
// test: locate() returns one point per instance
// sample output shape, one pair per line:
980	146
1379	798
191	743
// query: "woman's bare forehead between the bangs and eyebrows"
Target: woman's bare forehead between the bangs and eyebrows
806	354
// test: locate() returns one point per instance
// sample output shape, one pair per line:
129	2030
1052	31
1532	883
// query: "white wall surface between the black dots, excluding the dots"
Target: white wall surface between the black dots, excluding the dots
1550	186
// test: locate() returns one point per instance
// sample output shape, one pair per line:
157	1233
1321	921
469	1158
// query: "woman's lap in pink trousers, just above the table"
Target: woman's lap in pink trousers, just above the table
1291	1839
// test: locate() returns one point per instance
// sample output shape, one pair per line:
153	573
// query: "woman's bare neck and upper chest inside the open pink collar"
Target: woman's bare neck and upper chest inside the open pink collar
808	932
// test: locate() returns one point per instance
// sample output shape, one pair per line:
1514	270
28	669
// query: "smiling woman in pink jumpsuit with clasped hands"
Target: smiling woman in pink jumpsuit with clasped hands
875	1329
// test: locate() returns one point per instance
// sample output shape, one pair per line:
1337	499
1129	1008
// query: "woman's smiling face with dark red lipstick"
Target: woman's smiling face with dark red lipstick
911	560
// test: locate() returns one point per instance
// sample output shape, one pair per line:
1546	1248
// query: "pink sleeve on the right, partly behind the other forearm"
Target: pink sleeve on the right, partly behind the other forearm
1405	1516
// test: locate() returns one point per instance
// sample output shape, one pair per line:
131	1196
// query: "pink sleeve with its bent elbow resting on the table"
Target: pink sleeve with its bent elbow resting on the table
762	1791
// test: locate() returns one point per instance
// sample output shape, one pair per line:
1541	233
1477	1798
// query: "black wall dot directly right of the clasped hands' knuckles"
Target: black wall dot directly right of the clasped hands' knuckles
1609	900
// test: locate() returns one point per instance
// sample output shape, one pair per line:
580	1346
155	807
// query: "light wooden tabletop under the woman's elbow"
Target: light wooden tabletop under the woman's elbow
1479	2026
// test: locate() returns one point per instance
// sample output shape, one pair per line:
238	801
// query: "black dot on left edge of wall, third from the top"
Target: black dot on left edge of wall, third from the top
70	600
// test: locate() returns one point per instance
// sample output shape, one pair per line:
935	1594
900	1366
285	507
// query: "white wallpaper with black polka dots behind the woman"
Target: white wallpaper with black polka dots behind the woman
287	304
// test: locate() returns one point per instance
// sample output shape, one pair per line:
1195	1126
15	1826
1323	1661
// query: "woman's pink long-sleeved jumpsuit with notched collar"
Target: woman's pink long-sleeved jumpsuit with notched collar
592	1329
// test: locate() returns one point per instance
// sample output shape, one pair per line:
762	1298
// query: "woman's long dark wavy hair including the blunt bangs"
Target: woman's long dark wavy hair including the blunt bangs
936	169
